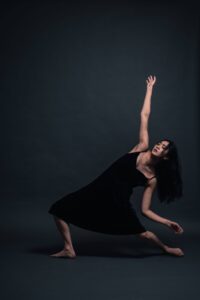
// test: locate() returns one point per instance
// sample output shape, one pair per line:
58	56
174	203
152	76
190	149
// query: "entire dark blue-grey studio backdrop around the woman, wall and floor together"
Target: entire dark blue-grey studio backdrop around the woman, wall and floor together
73	84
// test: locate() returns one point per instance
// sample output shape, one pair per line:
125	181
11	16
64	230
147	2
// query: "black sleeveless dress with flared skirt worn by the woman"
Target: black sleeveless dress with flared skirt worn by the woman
104	204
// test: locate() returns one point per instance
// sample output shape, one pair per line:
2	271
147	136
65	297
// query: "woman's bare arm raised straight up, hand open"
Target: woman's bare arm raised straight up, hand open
144	117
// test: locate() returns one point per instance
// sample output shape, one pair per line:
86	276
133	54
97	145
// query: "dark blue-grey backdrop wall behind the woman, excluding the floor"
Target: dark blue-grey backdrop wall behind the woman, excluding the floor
73	85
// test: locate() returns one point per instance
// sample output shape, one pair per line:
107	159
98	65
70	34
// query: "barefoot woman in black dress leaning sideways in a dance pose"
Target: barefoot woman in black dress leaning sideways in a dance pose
104	204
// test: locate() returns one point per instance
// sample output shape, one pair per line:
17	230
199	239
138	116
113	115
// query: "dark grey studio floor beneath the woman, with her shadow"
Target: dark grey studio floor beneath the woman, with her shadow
106	266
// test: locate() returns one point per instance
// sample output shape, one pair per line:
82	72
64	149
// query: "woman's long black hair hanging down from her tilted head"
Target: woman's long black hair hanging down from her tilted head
169	175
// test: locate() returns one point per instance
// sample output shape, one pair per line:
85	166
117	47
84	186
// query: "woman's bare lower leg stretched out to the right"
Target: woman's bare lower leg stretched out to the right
152	237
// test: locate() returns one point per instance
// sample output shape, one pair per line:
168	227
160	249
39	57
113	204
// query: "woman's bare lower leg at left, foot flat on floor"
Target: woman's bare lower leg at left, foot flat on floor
68	250
